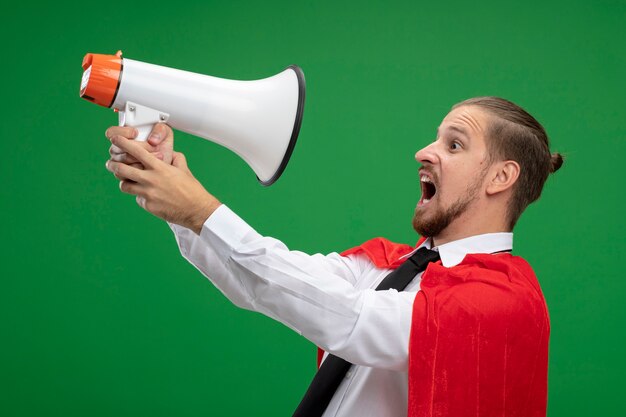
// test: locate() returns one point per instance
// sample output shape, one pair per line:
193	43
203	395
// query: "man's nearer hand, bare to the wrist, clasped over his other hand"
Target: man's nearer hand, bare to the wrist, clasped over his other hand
168	191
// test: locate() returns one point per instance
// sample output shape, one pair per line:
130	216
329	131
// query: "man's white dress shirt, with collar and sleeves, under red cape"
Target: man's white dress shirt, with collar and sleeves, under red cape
328	299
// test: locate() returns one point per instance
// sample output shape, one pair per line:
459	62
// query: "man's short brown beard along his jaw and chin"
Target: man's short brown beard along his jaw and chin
435	224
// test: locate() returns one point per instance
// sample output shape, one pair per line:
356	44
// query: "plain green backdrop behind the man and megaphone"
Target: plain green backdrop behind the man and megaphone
100	315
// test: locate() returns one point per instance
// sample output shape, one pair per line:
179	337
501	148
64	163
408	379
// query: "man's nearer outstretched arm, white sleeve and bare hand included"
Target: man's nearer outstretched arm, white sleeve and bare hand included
314	295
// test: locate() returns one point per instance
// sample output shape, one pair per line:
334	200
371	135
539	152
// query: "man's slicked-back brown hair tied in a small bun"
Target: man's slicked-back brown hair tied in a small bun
513	134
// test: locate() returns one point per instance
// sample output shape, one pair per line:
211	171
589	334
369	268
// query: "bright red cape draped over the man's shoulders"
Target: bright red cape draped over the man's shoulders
479	336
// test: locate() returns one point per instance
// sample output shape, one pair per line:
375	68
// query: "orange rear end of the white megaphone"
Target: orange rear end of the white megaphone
101	78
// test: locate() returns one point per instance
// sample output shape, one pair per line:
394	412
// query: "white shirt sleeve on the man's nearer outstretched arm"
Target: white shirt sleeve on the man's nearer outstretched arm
315	295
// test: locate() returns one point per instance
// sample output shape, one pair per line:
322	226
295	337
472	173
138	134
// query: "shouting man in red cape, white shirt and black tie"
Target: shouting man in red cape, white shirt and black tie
468	336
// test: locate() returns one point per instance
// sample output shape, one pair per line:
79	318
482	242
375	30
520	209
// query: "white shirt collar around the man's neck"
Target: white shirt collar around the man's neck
452	253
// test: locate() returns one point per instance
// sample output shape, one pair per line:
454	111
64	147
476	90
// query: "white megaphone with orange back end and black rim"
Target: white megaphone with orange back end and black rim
258	120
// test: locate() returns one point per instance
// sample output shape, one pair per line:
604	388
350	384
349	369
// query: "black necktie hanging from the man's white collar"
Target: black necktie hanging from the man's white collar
333	370
